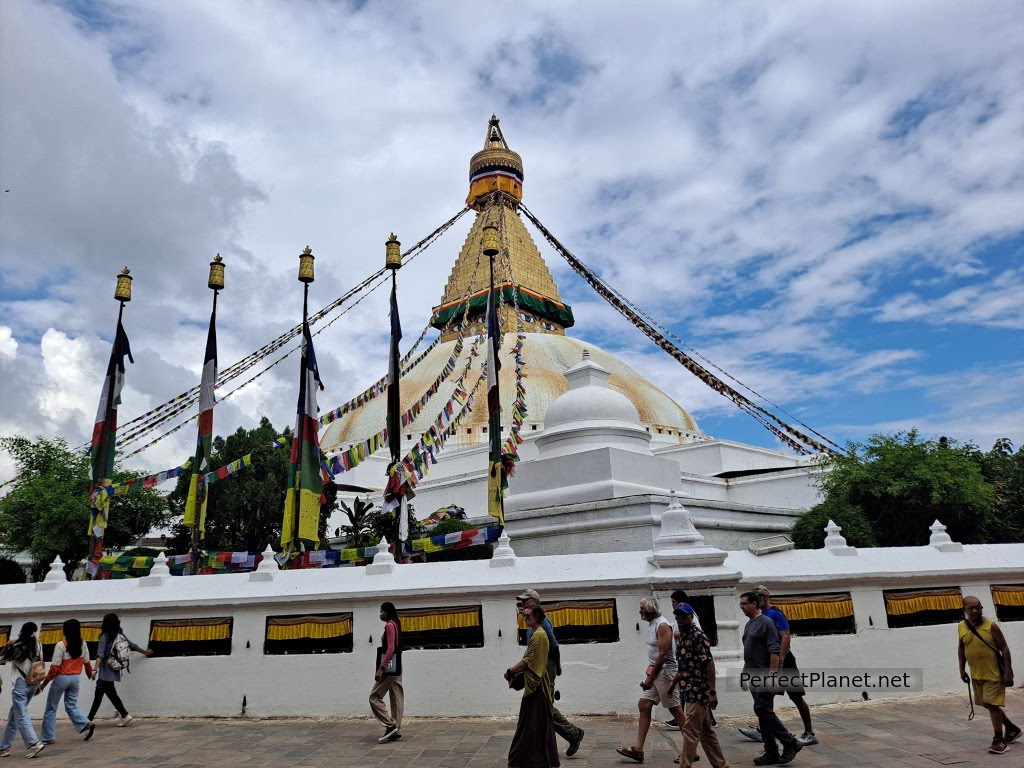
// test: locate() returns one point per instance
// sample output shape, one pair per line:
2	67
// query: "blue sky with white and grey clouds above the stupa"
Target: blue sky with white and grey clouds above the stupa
826	199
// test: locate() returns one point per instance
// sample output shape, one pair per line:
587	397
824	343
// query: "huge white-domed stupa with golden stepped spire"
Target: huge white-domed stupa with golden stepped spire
604	448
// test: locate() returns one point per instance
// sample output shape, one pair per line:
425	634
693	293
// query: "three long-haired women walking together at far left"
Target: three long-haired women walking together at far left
30	676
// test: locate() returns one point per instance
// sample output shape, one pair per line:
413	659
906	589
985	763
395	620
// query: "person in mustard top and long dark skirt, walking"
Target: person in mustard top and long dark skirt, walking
534	744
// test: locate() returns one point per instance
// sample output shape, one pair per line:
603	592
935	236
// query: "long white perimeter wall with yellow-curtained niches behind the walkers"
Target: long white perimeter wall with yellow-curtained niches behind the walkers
600	677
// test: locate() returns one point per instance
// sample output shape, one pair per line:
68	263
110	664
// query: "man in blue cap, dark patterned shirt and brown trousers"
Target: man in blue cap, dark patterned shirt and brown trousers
697	676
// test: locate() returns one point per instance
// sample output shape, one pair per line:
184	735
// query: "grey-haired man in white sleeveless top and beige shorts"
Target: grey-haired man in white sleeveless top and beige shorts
660	685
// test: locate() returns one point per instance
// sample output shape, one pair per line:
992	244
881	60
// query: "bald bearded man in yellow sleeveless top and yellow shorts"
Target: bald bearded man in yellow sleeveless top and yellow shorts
984	649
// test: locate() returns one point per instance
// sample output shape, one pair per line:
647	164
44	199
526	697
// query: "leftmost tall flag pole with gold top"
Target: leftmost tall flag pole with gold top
105	431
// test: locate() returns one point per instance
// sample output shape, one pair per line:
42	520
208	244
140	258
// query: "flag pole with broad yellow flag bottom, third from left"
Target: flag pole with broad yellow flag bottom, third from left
306	487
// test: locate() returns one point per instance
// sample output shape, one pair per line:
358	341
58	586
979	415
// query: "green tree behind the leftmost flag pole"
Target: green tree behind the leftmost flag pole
48	511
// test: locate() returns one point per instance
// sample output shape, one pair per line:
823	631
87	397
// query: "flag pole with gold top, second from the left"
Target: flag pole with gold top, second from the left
195	517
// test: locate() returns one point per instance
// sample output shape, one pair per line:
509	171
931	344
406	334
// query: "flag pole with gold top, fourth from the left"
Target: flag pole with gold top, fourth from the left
395	499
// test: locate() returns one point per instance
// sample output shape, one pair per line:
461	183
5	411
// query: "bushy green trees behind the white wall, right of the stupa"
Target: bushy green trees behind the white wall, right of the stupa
901	484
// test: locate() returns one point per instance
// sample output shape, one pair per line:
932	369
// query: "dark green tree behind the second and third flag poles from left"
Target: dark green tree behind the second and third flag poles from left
244	511
